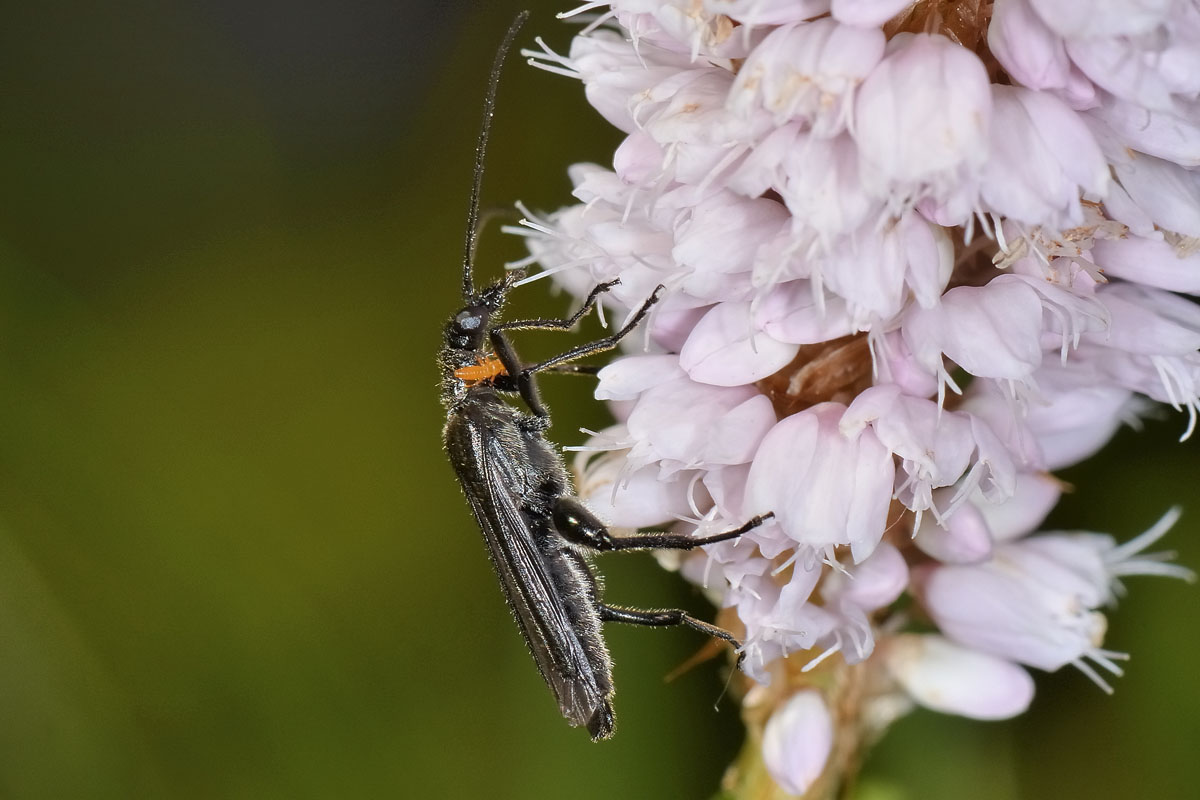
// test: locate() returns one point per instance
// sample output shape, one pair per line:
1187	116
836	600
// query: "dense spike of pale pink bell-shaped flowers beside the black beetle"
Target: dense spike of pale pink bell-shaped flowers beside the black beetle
915	261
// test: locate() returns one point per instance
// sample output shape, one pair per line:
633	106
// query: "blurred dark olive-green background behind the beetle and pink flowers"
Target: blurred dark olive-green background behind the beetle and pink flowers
233	562
